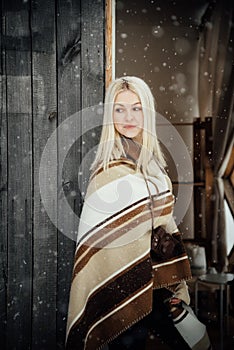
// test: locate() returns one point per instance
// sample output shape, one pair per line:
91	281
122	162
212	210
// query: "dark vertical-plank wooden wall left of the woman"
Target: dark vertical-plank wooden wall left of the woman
51	62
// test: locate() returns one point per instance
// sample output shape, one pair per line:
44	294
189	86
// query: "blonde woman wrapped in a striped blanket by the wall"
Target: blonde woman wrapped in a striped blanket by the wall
118	263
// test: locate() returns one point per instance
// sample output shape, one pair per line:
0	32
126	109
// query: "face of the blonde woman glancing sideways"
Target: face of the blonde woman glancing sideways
128	115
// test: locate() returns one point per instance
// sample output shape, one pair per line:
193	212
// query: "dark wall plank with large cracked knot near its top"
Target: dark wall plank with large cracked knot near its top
69	91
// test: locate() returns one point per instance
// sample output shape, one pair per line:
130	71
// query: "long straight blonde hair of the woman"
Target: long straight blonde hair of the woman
110	146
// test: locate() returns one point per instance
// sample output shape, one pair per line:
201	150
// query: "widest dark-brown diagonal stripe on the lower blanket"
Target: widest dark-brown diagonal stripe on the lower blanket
114	293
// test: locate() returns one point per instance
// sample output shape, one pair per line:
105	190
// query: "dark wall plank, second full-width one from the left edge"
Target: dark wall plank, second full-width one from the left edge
44	124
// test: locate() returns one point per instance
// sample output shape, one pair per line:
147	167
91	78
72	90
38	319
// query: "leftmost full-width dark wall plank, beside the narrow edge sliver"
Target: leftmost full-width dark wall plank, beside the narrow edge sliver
19	108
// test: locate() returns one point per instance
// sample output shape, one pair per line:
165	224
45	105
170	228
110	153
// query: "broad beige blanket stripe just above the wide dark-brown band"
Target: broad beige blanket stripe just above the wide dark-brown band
94	275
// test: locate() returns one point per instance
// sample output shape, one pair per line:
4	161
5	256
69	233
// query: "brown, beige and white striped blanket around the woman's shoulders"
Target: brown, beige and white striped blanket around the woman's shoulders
114	274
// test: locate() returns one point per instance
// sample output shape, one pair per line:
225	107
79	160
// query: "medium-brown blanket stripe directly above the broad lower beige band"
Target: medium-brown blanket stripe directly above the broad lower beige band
111	238
